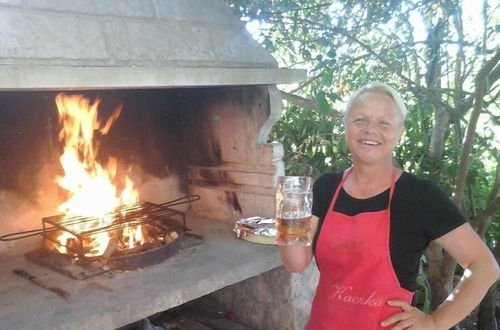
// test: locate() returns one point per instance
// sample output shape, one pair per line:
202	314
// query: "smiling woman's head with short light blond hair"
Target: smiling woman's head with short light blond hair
373	127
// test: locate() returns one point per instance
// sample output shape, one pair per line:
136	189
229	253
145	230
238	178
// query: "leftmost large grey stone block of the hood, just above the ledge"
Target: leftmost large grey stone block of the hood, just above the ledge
45	37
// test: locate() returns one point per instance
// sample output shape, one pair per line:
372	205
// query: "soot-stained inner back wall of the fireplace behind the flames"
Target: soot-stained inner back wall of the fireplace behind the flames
168	142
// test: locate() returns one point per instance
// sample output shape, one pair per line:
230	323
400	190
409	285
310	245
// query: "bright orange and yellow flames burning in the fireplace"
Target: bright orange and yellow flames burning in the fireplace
91	186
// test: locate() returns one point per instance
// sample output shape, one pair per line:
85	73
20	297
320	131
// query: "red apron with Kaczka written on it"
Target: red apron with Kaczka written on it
357	277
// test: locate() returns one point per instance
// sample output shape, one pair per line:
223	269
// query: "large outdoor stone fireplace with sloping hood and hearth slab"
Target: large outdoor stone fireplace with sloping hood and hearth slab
199	99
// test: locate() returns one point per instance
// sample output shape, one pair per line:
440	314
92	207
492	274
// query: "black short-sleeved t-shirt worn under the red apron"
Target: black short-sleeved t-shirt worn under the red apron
420	213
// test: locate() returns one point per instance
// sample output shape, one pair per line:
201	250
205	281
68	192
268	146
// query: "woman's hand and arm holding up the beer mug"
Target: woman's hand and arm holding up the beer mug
297	258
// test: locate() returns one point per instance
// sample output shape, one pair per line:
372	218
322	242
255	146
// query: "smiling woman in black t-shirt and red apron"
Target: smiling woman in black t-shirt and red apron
372	223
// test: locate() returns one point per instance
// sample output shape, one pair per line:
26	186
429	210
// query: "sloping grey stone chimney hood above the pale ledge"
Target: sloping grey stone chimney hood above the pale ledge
60	33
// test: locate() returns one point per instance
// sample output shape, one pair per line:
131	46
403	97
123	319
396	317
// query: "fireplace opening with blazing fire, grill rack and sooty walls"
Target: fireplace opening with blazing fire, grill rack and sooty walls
105	162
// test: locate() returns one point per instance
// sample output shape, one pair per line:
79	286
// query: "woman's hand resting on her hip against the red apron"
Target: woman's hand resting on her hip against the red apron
410	318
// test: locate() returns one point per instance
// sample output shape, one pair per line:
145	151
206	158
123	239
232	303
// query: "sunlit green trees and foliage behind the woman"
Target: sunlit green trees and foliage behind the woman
447	74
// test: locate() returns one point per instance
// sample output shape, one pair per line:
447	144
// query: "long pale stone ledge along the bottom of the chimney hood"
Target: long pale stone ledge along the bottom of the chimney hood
67	77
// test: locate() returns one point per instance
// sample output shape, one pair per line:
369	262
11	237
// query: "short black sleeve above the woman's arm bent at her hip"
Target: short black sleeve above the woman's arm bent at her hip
440	214
